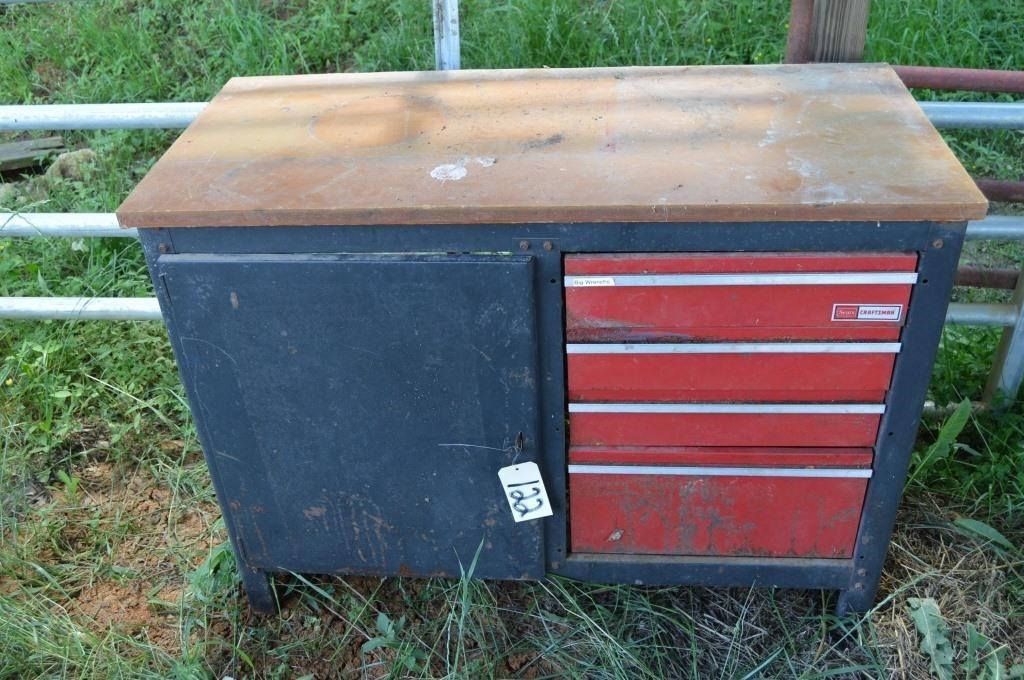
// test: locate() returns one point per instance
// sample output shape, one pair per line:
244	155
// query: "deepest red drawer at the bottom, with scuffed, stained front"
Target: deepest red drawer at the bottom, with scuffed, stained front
685	506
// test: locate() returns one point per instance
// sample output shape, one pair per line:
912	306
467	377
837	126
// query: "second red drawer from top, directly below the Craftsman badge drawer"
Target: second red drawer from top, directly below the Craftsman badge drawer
743	372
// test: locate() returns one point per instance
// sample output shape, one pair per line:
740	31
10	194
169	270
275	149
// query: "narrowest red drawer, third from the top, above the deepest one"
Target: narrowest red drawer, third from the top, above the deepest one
656	424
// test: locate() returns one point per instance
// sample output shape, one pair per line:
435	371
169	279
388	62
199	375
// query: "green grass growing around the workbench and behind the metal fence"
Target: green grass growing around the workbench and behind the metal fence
103	488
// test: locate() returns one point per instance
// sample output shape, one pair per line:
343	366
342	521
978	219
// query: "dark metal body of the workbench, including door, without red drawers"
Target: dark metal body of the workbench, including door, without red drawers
357	389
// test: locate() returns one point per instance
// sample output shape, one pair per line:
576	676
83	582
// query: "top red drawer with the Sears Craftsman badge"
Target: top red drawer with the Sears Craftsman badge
671	297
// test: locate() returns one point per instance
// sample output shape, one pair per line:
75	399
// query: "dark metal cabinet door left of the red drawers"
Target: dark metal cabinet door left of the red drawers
355	410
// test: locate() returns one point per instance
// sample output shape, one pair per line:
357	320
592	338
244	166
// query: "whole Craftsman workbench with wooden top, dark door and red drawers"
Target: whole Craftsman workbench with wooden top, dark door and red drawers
719	389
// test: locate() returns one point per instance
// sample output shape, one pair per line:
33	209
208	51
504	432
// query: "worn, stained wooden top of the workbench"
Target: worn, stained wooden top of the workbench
666	144
